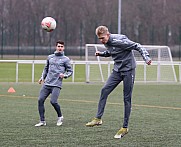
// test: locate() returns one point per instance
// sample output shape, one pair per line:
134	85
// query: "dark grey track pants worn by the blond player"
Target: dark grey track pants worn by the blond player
114	79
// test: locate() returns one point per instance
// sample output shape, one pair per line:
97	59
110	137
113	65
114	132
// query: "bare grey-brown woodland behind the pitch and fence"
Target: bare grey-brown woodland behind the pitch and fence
77	20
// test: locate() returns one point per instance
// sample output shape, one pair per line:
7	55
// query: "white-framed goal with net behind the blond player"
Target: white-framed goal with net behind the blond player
162	69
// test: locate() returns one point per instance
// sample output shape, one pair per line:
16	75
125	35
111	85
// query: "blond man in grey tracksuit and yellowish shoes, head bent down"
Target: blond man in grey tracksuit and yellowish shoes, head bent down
120	48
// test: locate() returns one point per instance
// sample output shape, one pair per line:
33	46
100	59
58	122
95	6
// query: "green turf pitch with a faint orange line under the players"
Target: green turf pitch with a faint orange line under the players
154	122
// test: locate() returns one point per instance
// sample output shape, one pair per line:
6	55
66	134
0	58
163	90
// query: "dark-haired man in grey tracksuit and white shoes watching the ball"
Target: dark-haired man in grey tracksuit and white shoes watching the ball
56	69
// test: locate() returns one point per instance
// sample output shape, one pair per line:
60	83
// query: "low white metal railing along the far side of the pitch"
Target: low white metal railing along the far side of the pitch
93	74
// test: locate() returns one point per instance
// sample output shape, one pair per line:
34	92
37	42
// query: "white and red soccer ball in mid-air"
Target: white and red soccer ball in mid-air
48	24
